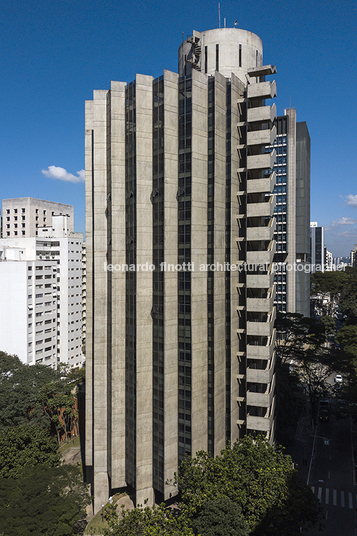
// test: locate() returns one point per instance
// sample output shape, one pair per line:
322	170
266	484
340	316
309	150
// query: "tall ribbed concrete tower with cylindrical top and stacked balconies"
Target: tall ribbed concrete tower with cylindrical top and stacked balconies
180	245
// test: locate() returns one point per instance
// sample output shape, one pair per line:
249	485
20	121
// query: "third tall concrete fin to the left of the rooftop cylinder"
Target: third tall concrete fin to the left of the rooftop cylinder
117	306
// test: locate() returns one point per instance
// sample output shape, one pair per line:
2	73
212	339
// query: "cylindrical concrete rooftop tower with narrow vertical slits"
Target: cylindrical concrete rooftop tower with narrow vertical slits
227	50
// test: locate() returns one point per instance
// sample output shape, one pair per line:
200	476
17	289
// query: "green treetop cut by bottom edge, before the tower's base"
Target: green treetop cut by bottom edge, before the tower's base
156	521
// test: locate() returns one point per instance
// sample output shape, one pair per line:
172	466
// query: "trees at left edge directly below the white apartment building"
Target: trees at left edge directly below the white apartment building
19	388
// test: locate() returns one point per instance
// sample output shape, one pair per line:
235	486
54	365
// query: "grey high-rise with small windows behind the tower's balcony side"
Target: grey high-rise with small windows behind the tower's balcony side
292	213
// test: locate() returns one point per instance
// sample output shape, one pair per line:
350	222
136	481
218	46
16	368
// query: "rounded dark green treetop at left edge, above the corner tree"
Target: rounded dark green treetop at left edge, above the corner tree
26	446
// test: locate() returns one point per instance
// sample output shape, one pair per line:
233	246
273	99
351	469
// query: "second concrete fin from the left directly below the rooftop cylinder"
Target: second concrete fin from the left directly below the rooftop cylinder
219	258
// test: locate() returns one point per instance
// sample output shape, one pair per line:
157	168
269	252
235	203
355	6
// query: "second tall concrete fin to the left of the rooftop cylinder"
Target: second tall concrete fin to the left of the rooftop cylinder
144	96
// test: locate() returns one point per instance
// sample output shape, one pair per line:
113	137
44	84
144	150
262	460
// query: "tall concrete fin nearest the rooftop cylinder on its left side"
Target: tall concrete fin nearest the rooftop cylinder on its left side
170	282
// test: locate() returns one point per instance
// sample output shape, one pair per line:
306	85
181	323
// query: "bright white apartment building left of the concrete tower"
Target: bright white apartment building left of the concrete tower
51	266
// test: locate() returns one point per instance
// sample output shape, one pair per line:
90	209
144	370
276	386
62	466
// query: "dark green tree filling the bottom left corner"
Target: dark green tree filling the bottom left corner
43	500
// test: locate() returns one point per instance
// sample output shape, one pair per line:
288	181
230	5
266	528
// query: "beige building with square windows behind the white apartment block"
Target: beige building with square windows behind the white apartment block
23	216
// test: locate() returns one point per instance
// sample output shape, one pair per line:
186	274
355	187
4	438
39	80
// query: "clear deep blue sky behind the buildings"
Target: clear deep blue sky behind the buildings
54	53
